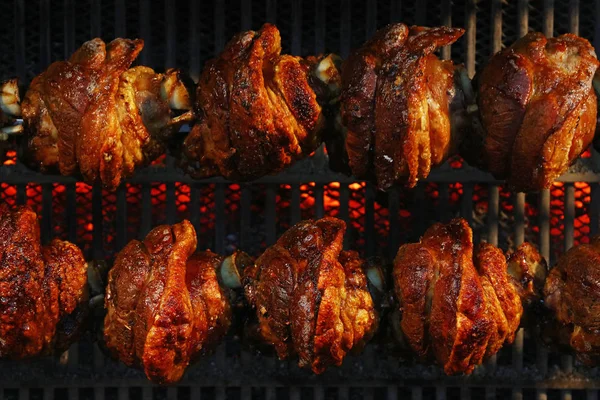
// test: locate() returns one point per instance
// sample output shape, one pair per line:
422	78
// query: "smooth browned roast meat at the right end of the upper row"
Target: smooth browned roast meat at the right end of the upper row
538	109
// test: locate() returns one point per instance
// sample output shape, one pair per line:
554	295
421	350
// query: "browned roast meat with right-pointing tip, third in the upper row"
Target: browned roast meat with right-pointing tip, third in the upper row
397	104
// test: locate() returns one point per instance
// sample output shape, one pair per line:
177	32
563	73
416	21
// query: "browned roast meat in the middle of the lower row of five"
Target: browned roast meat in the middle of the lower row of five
310	297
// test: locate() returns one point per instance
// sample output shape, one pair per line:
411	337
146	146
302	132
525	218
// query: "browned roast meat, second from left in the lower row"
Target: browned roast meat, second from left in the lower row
164	303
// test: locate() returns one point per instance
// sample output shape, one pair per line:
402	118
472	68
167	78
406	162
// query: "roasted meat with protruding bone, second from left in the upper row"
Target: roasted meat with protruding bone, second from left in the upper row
259	111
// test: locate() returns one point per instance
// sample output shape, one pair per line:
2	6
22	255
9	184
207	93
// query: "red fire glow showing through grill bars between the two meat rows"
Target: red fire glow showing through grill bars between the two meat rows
332	205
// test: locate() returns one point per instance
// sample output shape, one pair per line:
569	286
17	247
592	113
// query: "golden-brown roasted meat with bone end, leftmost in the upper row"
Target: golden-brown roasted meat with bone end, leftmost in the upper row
94	115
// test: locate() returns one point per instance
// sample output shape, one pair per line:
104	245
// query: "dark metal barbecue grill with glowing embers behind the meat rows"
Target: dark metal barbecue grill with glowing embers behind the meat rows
250	216
